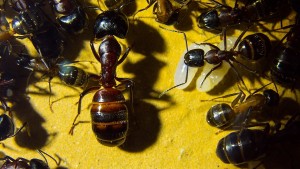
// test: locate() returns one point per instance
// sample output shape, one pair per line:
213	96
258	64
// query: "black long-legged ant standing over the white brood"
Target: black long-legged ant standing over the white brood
252	47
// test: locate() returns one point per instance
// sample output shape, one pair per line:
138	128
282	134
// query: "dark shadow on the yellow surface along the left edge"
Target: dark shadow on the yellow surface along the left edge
22	108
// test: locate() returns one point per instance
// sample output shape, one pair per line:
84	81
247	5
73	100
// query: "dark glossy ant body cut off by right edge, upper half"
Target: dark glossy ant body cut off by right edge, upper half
285	66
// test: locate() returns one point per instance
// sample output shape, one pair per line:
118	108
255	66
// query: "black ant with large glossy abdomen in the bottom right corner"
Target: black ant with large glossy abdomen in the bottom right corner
249	144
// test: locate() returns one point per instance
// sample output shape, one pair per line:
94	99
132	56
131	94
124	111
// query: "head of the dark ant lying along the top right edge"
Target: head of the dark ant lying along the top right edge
208	20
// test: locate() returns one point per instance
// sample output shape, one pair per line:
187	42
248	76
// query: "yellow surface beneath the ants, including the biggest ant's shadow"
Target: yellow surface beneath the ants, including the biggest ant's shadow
170	132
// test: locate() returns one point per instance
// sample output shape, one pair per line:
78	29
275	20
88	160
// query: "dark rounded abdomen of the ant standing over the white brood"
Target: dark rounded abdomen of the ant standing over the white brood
255	46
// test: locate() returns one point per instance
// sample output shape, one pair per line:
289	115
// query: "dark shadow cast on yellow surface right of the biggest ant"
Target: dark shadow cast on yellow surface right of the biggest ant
145	124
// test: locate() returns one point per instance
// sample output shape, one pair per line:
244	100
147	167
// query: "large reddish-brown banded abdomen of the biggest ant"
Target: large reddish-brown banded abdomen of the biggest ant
110	117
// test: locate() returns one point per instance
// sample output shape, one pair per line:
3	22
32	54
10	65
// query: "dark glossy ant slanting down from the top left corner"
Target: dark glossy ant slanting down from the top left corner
33	23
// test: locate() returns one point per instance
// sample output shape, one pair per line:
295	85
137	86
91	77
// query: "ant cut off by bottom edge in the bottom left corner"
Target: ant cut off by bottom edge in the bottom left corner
20	162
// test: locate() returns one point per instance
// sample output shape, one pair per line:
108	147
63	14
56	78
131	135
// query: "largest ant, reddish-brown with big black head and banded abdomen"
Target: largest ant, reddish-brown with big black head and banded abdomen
108	110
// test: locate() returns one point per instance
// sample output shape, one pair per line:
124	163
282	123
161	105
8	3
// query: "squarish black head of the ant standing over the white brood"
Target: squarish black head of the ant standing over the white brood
194	58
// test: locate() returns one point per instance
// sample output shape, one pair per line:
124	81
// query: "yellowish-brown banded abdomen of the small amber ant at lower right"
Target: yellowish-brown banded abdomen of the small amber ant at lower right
220	115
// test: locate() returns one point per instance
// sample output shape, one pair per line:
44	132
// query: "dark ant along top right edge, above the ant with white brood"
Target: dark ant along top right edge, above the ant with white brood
224	16
